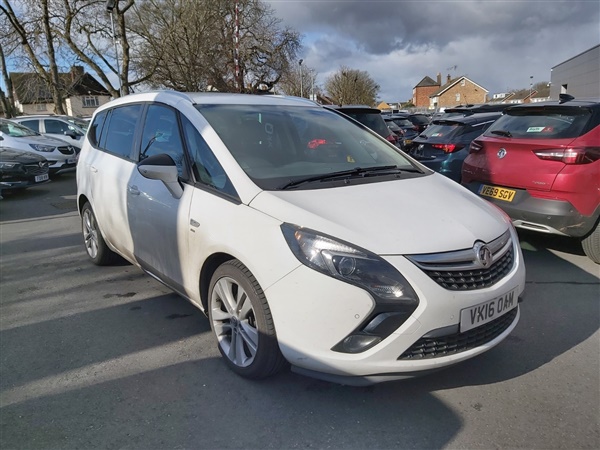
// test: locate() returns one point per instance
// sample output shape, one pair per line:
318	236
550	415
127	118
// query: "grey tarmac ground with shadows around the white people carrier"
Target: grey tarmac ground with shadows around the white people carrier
107	358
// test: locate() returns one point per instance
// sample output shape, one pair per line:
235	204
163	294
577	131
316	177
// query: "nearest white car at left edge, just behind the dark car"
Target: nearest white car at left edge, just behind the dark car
61	157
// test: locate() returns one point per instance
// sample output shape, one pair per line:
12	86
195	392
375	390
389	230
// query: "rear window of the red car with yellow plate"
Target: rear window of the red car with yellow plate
541	123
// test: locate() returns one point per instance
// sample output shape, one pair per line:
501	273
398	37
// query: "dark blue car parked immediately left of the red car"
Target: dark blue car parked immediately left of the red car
444	145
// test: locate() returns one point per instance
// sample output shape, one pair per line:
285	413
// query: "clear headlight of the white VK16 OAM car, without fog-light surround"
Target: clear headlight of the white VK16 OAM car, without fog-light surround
348	263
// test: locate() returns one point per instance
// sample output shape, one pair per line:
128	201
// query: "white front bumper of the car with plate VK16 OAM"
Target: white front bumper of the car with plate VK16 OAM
313	312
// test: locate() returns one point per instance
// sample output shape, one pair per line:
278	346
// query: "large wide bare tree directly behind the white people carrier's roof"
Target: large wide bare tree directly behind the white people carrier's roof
195	45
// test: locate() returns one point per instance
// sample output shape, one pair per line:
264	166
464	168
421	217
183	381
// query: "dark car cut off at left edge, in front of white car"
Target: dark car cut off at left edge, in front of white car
20	170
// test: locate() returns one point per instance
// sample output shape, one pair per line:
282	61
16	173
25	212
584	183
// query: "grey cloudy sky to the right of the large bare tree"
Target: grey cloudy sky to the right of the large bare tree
498	44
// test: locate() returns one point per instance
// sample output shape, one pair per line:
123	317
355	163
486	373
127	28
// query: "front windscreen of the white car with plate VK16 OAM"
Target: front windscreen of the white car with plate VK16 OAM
276	145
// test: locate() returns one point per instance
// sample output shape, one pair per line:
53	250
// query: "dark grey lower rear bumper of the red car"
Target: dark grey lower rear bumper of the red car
543	215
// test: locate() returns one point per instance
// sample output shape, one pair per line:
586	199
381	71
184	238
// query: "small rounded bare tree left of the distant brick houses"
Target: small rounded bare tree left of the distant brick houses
351	86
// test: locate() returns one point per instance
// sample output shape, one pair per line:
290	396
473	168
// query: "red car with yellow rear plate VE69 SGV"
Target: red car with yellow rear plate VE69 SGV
540	163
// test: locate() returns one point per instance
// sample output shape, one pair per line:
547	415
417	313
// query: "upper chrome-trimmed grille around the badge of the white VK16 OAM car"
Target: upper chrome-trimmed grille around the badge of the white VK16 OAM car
462	270
